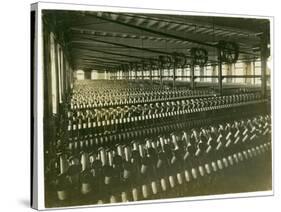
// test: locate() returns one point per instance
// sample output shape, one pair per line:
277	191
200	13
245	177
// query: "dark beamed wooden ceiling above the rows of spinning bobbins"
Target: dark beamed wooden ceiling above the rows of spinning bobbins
105	40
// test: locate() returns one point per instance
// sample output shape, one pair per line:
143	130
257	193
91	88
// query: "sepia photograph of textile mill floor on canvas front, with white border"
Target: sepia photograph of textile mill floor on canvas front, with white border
142	106
